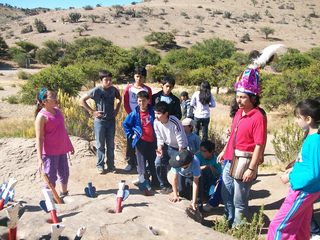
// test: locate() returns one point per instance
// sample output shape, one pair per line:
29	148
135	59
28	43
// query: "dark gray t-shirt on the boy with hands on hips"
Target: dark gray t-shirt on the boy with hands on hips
104	99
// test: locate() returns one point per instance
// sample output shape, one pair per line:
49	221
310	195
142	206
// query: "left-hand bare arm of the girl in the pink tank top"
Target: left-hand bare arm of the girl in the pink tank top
39	128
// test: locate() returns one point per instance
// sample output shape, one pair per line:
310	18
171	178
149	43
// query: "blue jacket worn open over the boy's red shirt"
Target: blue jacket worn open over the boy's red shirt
132	125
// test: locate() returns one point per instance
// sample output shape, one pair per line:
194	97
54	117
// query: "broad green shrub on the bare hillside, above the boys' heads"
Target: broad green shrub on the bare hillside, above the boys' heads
164	40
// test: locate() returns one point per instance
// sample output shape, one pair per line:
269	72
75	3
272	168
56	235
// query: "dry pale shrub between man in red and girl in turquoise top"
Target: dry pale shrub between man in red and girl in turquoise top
287	142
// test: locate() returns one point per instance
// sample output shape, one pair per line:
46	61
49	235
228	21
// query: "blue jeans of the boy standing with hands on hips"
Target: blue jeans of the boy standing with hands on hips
104	131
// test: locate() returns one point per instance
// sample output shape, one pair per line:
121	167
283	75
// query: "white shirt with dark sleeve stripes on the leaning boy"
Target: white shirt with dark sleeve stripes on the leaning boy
170	133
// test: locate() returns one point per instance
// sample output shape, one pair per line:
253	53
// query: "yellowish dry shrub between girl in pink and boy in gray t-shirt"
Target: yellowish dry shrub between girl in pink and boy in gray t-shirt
77	121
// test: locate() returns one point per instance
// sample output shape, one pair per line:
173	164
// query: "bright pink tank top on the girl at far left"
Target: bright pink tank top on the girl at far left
56	139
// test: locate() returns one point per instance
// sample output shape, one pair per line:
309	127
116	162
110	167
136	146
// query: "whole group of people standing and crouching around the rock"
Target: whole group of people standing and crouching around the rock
169	155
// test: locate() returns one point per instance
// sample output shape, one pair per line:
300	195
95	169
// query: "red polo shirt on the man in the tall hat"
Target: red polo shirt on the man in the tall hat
251	131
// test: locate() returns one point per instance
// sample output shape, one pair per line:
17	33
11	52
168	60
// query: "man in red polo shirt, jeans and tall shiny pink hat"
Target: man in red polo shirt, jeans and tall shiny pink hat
248	135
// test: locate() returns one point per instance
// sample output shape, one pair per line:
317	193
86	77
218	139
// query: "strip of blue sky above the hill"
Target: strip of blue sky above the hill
64	3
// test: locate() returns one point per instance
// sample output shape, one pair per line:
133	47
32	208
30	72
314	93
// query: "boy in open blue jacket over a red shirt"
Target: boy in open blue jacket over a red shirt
138	126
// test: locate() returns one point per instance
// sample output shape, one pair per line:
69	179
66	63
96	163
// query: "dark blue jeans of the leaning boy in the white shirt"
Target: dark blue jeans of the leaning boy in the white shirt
162	165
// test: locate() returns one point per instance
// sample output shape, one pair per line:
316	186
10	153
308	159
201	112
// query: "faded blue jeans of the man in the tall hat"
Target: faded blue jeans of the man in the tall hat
235	196
